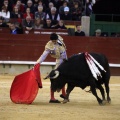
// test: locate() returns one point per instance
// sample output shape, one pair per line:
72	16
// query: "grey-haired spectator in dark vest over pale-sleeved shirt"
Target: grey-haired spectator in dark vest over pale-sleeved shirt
53	15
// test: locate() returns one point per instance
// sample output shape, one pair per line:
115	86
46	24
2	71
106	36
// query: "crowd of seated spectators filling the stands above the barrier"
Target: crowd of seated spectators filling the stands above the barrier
42	14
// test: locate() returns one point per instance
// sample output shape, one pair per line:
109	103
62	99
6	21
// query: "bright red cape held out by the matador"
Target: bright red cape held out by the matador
25	86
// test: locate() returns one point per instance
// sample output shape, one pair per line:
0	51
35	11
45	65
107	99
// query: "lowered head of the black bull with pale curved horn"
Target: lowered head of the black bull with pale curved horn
56	80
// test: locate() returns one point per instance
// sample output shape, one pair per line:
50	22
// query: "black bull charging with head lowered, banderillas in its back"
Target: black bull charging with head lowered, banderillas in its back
76	73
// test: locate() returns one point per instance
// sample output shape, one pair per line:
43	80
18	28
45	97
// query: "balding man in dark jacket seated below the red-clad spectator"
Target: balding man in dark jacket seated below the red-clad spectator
28	23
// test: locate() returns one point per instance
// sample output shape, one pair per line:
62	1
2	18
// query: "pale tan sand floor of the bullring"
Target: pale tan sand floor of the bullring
82	105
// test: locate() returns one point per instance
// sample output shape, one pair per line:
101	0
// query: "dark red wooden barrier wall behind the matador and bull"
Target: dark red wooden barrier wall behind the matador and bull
29	47
